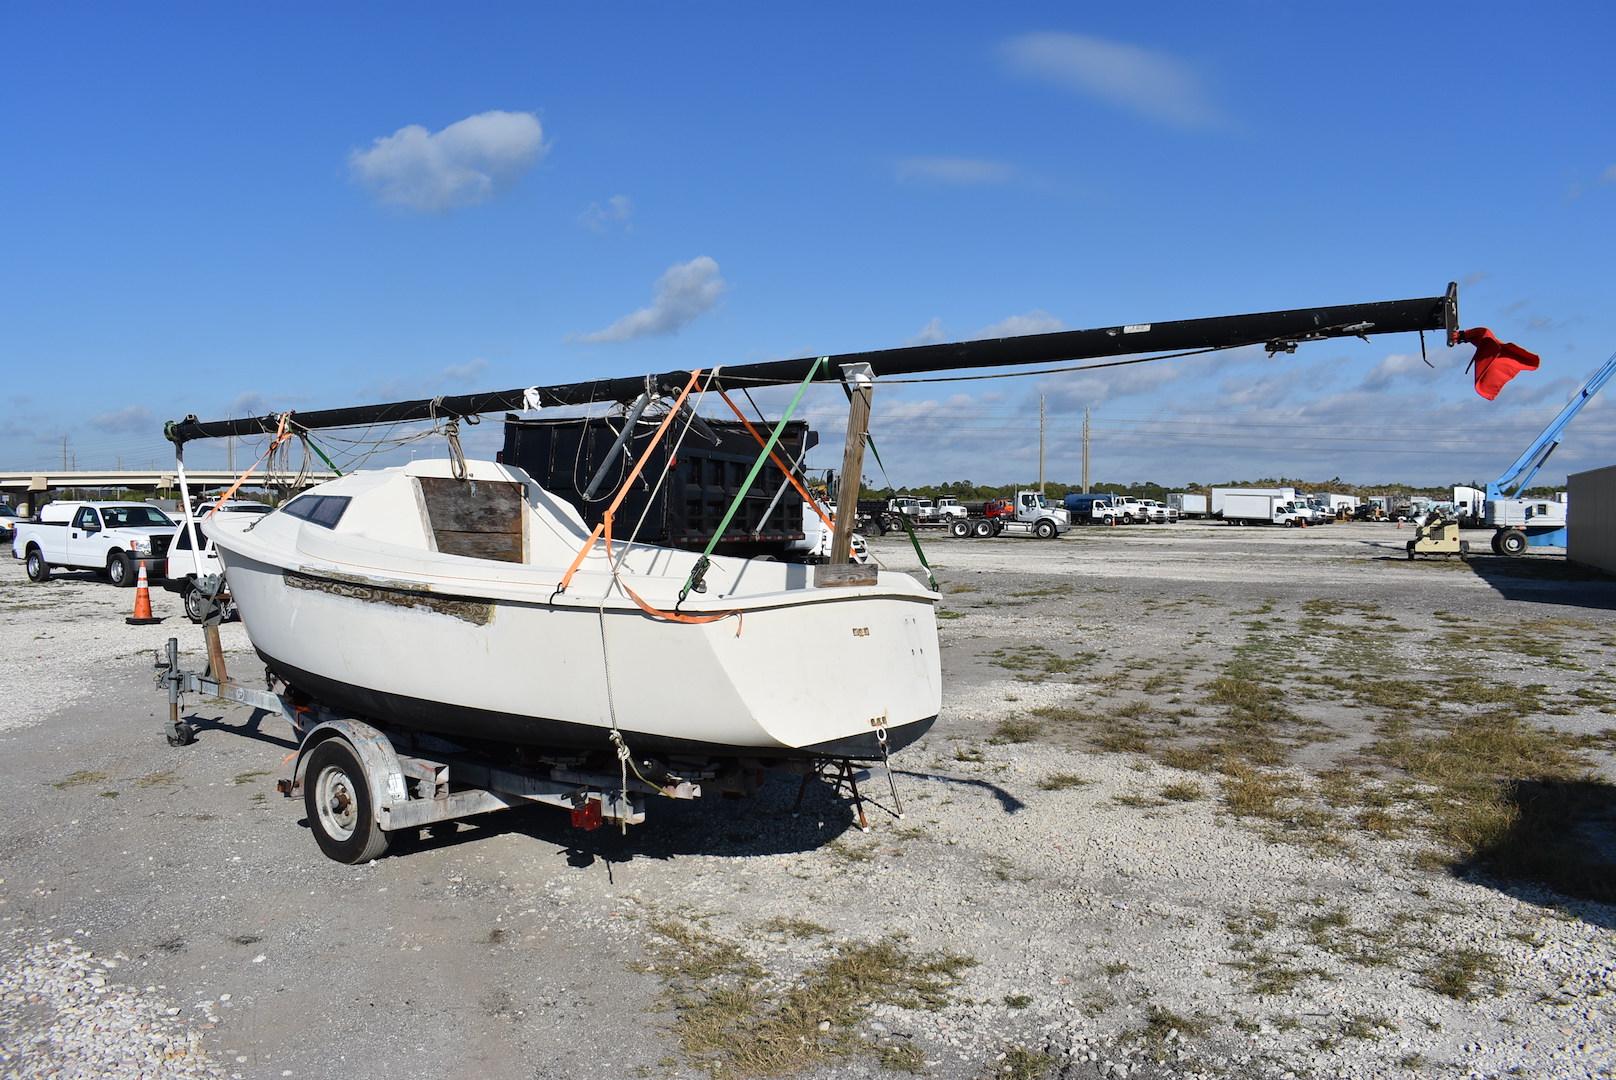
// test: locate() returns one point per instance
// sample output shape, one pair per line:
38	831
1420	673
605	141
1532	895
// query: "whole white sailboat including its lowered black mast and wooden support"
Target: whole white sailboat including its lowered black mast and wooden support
463	599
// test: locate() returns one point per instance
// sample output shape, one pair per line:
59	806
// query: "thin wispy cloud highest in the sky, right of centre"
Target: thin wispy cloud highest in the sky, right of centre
1153	85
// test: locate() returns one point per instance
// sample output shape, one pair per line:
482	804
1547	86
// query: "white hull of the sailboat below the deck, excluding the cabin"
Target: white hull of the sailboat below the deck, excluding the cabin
820	677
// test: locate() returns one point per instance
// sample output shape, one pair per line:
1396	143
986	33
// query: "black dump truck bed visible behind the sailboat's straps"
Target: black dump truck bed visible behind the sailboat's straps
565	455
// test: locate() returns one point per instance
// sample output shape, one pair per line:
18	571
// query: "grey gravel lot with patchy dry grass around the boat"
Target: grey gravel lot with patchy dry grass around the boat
1124	908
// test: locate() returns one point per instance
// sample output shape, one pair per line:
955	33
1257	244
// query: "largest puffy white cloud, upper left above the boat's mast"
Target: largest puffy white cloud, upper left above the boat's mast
465	164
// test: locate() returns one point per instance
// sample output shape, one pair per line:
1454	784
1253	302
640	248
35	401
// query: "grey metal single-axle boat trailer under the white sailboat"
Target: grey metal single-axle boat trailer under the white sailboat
361	780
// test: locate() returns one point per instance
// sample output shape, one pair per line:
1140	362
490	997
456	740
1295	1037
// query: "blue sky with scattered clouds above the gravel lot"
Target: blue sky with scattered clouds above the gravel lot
225	211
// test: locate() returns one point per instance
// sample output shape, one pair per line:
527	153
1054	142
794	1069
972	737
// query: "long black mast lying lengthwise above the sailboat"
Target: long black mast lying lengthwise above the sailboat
1277	331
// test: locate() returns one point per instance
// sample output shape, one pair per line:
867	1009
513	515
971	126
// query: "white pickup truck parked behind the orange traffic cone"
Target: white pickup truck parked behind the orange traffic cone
111	538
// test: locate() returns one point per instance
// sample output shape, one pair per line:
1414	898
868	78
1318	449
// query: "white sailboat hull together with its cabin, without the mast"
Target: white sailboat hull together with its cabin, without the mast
432	601
